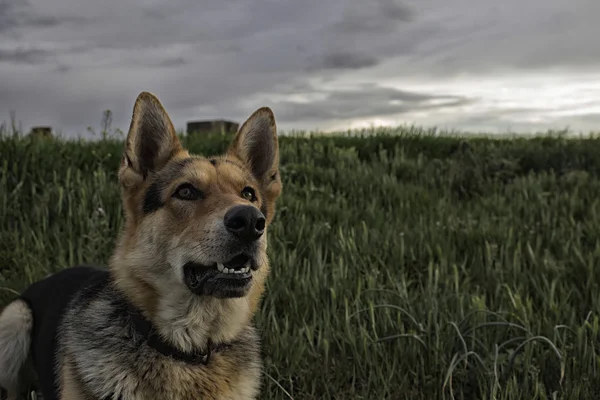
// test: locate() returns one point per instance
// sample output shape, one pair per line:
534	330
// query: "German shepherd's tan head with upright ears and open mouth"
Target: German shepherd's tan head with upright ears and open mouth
197	224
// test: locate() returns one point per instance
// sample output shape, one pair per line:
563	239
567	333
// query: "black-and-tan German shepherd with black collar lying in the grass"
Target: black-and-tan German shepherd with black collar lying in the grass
170	317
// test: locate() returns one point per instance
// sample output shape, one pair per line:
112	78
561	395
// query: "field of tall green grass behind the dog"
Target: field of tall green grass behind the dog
405	266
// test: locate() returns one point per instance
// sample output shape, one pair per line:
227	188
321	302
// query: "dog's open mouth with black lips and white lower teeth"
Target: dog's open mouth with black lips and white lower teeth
229	279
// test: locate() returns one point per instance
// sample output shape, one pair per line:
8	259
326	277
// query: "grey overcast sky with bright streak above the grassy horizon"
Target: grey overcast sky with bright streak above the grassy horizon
479	65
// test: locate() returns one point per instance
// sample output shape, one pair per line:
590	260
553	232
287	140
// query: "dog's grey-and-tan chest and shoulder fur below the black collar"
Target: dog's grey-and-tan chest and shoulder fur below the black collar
102	356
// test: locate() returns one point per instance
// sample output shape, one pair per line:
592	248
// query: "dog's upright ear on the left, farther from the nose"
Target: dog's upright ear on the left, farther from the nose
151	141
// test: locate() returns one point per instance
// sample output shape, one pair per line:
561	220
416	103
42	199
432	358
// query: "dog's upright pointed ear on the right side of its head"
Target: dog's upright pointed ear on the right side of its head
256	145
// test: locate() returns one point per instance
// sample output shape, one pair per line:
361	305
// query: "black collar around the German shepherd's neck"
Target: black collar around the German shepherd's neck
144	328
